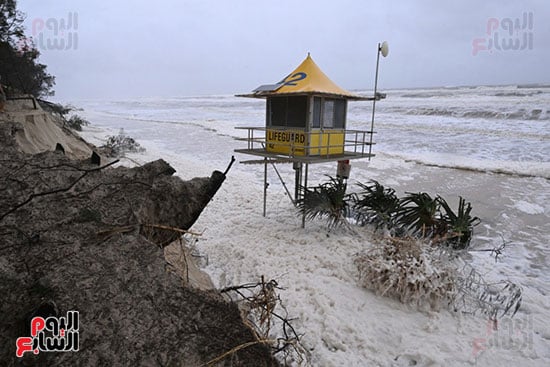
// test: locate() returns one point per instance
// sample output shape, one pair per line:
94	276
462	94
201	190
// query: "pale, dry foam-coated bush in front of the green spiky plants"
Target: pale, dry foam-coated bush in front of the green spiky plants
430	277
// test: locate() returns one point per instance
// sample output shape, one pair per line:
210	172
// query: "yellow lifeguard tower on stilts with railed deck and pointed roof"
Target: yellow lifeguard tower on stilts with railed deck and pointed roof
305	124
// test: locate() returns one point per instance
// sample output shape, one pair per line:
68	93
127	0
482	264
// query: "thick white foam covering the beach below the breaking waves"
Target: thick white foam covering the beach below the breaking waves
342	323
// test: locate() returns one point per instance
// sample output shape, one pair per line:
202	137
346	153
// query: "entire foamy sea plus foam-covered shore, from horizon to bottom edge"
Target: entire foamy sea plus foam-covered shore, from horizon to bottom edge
489	144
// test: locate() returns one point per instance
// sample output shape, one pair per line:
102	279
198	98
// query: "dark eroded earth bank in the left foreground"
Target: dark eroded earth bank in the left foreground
78	237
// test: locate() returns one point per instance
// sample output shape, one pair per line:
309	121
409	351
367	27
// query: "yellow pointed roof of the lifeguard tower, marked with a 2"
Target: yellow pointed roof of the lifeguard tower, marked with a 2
307	78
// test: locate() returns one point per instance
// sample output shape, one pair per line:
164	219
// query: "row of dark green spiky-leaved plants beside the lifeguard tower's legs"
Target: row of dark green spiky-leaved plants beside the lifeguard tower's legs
416	214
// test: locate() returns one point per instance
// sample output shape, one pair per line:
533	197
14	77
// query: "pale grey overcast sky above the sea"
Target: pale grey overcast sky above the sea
127	49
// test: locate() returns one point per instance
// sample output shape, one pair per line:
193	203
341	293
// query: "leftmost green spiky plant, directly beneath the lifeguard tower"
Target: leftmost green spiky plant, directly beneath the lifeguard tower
328	200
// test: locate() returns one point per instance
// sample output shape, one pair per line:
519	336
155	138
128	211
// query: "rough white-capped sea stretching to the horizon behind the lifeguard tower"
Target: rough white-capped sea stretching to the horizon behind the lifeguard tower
501	129
